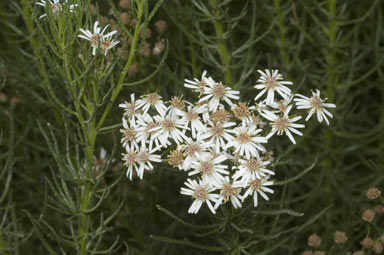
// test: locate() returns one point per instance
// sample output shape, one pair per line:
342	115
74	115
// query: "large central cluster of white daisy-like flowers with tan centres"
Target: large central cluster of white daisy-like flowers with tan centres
219	141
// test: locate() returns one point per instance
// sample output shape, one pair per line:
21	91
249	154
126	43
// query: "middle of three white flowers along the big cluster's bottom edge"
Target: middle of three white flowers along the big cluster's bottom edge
229	191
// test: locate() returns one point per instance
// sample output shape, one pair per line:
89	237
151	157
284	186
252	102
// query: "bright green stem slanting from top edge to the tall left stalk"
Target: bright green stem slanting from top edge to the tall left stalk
123	74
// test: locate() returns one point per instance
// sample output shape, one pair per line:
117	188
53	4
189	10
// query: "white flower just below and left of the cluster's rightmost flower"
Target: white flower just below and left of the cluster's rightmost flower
283	124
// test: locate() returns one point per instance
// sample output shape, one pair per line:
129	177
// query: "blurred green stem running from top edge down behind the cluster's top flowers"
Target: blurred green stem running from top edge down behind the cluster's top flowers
223	51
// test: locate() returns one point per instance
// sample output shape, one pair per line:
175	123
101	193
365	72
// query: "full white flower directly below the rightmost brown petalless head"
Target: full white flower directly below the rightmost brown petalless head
247	141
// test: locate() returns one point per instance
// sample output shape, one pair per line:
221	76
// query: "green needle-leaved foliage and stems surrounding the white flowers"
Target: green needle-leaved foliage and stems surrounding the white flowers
58	108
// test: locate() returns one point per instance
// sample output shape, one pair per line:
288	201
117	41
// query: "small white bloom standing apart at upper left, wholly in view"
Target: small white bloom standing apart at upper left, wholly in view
97	38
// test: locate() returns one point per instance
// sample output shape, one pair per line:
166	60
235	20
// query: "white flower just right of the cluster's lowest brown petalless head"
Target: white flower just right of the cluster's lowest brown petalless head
193	150
